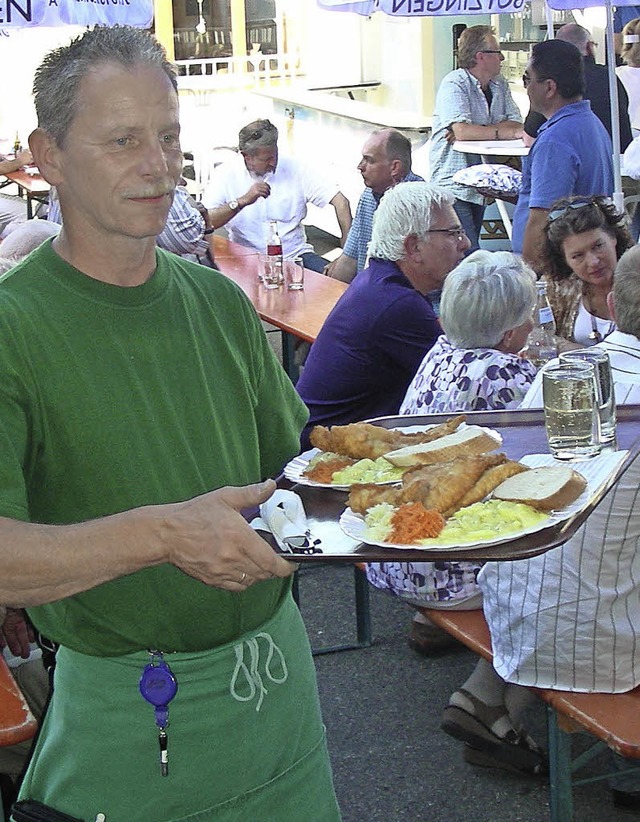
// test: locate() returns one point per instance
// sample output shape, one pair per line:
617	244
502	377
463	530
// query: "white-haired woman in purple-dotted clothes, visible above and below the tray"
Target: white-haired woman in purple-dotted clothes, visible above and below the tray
486	313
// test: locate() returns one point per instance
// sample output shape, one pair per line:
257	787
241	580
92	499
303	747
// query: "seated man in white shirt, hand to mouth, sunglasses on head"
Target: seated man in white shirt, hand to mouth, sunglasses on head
258	186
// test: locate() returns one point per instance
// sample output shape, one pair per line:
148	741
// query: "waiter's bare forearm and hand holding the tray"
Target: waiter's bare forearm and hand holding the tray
205	537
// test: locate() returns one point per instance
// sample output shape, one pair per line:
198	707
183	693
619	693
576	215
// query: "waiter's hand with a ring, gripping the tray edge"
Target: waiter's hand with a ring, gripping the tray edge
211	541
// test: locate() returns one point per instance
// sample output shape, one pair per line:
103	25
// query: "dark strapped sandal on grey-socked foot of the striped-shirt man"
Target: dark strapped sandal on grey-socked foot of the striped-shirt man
489	729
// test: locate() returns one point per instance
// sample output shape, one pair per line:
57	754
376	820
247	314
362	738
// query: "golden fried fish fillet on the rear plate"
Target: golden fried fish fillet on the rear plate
362	440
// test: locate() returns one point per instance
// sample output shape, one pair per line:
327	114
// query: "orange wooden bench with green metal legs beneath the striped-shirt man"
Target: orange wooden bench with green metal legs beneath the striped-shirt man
614	719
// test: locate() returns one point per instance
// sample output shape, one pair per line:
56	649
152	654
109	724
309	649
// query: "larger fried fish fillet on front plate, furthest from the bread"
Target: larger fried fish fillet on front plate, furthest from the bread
437	487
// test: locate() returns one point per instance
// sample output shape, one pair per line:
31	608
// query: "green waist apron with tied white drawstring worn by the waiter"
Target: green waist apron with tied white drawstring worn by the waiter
245	736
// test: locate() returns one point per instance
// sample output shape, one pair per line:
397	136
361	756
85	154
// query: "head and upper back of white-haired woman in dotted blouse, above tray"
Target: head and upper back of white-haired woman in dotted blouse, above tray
486	312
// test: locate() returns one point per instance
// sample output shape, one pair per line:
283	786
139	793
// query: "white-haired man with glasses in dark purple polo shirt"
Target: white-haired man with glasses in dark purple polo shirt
370	346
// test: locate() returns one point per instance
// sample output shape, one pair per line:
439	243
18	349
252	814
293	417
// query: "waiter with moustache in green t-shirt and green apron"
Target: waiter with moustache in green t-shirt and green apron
141	410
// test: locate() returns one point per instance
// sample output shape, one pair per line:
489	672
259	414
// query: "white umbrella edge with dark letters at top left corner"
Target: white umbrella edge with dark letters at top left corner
138	13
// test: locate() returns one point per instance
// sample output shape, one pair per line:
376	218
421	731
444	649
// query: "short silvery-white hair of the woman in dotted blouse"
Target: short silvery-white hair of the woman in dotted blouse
486	295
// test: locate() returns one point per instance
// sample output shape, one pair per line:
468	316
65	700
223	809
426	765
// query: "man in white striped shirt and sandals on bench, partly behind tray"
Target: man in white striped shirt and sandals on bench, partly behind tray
567	619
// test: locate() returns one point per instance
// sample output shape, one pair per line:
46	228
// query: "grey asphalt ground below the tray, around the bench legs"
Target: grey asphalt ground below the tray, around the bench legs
382	709
